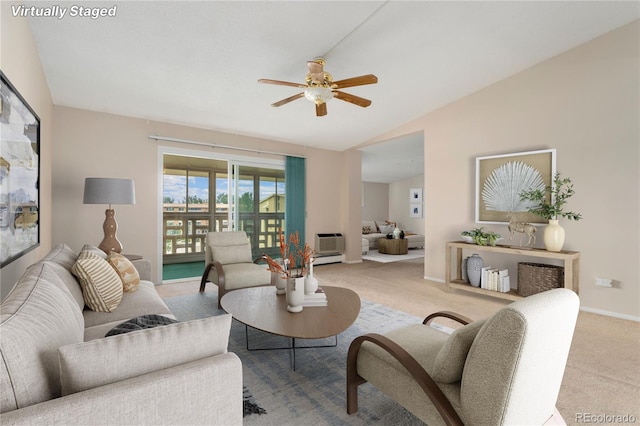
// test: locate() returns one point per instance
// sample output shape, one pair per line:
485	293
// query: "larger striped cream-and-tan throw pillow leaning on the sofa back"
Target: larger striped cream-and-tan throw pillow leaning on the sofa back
101	284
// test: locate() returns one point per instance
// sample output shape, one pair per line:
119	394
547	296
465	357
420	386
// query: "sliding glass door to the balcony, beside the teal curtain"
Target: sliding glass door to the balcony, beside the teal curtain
202	195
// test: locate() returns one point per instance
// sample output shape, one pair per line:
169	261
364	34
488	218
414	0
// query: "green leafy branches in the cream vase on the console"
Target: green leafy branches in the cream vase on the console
552	199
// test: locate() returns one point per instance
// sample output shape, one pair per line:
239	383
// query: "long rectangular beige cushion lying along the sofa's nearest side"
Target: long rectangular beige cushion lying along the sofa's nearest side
103	361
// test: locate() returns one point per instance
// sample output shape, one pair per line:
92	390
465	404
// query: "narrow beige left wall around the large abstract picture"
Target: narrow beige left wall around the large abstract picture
20	63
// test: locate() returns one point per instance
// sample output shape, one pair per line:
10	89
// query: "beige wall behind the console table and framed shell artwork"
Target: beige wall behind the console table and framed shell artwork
584	103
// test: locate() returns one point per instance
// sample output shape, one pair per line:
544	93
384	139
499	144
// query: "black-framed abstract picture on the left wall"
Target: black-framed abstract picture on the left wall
19	175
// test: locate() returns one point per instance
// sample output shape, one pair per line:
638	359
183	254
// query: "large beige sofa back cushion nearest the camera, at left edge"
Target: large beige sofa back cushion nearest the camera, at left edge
37	317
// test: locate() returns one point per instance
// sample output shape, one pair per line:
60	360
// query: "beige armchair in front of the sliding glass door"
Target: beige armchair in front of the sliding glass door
229	264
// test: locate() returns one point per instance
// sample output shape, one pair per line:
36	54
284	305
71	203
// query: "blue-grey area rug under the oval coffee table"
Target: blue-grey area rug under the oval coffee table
315	392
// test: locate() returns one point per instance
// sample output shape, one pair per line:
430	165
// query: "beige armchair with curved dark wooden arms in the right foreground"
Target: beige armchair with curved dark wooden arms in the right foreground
504	370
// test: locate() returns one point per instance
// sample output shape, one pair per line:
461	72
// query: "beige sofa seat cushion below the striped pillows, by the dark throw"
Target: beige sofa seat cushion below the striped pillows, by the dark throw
143	301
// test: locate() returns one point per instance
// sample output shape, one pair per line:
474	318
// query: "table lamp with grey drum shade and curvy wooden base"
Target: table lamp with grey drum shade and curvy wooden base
109	191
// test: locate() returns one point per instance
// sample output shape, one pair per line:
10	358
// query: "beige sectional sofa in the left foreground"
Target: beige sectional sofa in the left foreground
57	368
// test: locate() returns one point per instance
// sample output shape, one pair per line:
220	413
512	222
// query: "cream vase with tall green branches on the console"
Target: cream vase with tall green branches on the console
550	202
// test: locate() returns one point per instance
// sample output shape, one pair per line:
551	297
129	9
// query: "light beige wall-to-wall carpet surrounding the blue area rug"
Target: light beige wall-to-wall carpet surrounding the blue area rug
603	371
